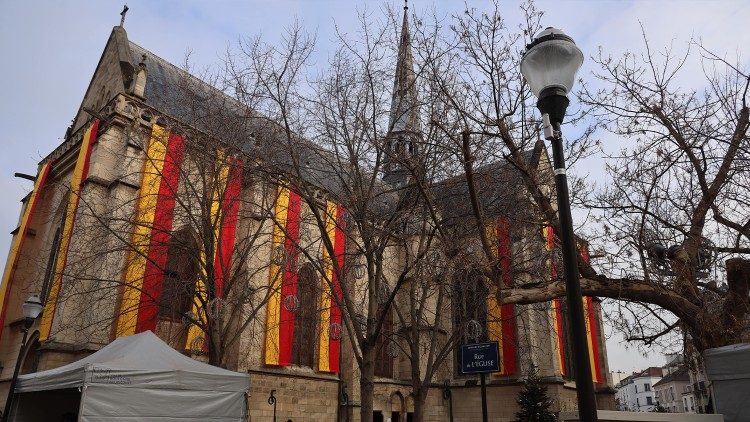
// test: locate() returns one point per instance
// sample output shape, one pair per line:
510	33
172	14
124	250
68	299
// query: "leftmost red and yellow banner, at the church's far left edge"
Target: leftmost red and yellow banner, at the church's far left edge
18	240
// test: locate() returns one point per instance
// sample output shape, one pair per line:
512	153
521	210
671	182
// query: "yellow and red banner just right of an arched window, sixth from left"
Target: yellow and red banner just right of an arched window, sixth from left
329	341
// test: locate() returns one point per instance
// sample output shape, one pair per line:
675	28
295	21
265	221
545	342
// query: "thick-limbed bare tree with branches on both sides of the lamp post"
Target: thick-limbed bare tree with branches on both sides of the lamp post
681	185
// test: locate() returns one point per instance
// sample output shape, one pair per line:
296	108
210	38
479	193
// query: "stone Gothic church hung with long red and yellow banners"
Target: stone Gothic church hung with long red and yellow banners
206	232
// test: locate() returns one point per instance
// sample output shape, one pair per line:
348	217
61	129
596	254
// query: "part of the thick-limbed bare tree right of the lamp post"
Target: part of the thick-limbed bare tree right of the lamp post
676	207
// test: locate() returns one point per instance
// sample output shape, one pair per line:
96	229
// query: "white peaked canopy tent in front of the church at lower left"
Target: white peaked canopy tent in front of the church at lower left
134	378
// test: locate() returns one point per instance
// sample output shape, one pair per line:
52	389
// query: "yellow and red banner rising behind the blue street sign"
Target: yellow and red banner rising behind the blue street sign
501	318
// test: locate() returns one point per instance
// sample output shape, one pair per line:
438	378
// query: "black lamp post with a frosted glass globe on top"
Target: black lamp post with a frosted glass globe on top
549	66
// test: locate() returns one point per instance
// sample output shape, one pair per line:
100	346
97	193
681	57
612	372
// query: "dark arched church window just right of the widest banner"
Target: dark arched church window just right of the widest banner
180	275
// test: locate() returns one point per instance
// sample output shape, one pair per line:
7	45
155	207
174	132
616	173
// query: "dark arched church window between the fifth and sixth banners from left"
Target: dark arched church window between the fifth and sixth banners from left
305	318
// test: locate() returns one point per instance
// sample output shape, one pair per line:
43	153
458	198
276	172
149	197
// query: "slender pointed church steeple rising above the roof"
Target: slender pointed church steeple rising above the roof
403	139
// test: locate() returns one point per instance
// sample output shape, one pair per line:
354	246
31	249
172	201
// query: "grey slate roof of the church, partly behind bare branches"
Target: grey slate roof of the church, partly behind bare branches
182	96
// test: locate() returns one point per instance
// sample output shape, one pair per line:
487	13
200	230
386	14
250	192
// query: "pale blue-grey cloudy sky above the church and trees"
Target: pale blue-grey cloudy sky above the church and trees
49	51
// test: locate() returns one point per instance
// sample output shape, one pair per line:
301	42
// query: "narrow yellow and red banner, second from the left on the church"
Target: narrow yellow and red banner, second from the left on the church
80	173
